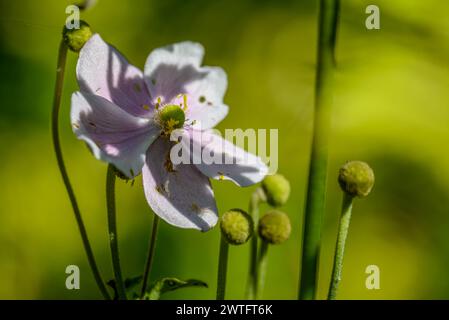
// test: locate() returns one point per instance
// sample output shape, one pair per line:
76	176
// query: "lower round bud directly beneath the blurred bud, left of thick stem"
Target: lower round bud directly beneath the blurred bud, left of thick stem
274	227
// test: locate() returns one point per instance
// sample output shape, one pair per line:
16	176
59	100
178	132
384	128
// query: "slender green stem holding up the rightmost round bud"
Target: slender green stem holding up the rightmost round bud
340	248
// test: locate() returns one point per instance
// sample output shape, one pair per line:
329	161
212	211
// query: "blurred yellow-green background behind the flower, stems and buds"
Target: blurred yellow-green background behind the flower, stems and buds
391	110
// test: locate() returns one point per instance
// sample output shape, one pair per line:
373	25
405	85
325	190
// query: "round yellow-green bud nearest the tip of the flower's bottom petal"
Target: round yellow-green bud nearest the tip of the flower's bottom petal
236	226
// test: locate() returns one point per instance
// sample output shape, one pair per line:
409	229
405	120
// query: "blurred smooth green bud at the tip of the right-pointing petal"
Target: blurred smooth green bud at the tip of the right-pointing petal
277	189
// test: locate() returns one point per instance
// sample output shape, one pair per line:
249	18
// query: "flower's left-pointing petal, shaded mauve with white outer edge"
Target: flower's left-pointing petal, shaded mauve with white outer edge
112	134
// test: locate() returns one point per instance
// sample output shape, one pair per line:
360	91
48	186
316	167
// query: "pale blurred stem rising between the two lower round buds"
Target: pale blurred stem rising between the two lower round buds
256	198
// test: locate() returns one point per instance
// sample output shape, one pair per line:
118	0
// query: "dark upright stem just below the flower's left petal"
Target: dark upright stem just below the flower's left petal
112	225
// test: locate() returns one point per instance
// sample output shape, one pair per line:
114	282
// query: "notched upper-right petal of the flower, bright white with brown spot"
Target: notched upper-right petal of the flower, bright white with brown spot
175	70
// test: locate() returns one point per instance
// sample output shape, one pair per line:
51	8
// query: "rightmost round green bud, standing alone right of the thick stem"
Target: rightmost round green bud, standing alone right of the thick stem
356	178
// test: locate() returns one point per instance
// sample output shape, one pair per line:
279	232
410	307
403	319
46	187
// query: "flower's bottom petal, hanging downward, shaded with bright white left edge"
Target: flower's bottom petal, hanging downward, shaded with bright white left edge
184	197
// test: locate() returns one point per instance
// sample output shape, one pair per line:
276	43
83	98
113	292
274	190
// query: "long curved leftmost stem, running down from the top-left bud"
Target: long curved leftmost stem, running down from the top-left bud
60	69
